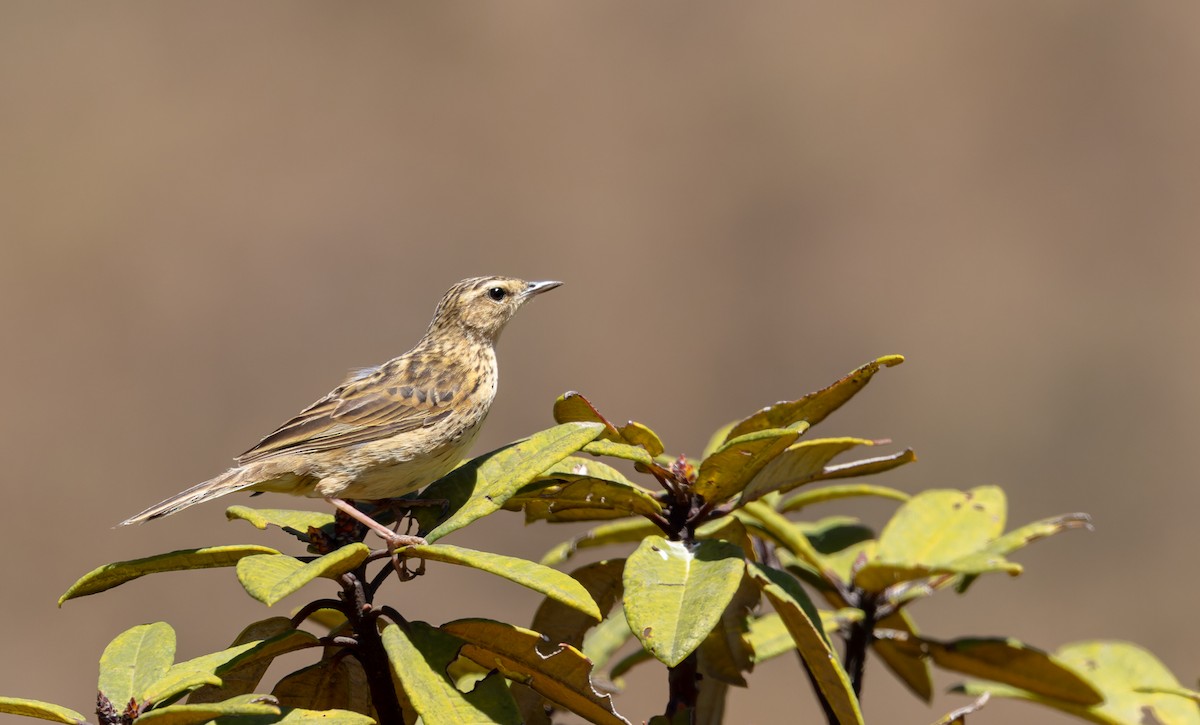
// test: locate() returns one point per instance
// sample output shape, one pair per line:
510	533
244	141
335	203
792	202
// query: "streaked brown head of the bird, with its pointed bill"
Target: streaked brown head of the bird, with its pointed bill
482	307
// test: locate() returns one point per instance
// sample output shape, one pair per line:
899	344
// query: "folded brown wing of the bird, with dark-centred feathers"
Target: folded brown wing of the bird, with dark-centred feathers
371	405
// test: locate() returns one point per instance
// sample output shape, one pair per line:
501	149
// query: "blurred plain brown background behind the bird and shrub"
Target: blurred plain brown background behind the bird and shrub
211	212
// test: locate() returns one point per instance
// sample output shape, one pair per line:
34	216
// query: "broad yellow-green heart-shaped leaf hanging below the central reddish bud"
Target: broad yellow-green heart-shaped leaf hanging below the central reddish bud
675	595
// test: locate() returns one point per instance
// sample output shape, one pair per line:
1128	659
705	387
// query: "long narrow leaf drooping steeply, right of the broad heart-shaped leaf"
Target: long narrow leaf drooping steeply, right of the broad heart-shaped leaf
805	625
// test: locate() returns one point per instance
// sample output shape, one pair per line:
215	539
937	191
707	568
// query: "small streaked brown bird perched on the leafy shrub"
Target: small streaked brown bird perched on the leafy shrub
388	430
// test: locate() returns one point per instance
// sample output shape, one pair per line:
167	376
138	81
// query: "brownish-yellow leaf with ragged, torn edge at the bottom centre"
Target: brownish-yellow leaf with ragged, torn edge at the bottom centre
560	674
